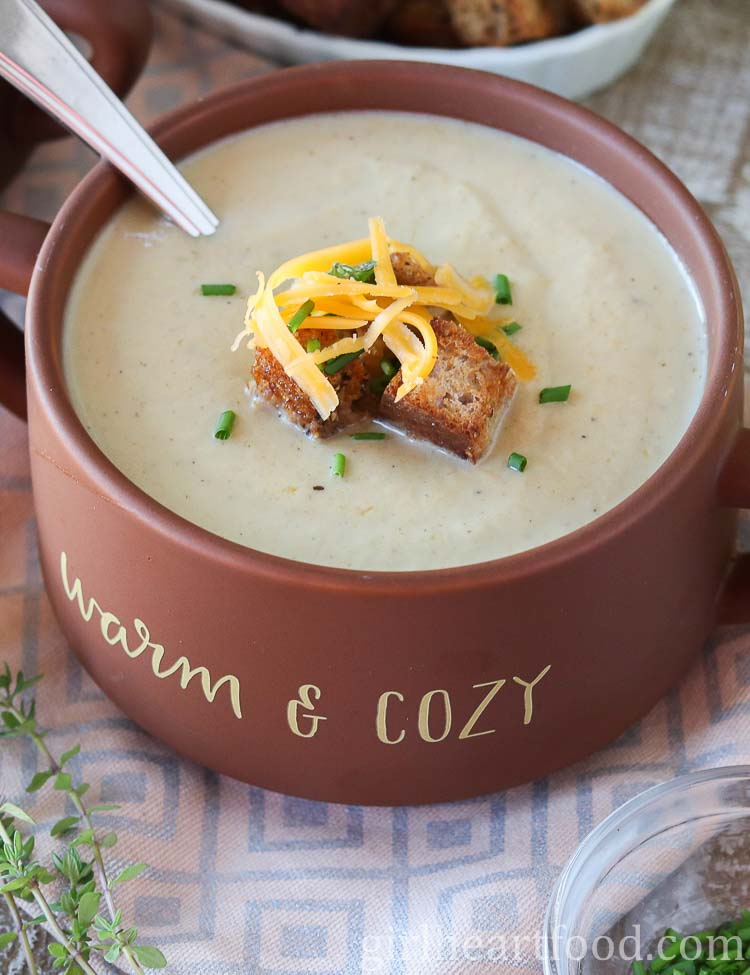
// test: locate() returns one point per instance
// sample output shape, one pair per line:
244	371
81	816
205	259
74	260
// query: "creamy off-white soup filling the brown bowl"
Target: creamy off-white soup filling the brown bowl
604	303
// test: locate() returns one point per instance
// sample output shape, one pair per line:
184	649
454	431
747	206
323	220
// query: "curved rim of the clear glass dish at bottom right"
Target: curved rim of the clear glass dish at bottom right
613	823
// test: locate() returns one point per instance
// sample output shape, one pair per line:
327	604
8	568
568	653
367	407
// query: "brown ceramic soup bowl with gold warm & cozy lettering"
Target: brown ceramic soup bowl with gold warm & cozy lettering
278	672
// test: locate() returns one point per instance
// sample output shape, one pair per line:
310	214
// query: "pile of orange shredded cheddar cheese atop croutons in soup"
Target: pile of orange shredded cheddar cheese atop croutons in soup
369	310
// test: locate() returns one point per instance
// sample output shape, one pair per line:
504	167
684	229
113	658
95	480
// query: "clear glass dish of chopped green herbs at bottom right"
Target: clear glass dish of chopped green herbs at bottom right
678	855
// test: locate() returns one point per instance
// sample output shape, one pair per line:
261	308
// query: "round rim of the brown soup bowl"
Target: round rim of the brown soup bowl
44	363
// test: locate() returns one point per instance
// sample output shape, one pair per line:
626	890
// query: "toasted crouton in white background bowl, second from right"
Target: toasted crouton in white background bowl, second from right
501	22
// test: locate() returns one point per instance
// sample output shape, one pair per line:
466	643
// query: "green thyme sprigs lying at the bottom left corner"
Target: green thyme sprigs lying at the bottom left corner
74	919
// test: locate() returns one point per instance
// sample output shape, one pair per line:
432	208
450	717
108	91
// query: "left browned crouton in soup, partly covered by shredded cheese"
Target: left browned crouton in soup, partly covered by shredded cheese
279	390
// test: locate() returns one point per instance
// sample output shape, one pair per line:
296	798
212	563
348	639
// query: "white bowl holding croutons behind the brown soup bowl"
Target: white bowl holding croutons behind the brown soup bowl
574	65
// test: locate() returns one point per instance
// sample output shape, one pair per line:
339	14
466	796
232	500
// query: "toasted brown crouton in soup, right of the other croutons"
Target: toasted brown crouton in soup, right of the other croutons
461	404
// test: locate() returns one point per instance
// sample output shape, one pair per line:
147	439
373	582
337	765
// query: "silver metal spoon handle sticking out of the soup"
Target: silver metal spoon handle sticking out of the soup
38	59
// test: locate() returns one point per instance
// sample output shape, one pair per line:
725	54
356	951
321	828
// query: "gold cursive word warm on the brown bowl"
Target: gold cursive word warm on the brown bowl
115	633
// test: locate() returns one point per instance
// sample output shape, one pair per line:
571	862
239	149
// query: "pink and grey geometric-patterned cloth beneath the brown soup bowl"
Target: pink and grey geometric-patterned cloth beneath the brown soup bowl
244	881
